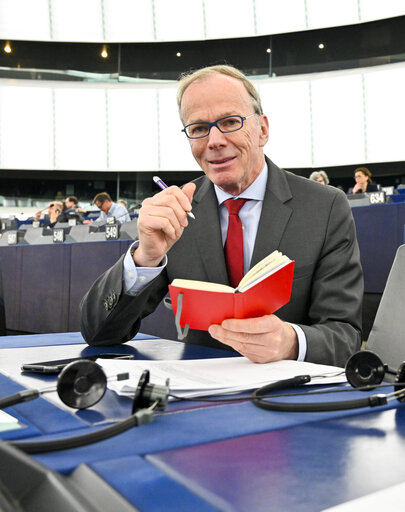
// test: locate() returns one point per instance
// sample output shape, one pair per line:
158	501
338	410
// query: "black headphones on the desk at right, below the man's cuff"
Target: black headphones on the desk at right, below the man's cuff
364	371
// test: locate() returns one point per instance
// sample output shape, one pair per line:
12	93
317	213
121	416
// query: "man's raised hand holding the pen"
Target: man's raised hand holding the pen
161	223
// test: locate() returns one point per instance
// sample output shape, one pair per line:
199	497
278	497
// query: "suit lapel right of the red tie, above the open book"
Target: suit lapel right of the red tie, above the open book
275	214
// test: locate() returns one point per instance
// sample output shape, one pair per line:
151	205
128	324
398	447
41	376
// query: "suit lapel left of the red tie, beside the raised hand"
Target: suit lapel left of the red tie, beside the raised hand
207	233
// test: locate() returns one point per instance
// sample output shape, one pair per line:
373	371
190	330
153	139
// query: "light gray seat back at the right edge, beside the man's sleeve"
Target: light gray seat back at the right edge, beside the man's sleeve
387	336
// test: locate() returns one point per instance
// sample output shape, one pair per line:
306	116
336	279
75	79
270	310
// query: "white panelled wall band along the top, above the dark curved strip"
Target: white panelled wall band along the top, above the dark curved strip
180	20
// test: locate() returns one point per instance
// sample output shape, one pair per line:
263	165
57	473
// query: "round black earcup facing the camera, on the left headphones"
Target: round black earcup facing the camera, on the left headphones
81	384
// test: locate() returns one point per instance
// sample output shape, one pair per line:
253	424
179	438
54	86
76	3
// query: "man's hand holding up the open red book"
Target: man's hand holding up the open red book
261	340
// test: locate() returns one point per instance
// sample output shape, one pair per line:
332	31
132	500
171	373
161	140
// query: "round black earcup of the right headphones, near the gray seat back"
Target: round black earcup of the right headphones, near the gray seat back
364	368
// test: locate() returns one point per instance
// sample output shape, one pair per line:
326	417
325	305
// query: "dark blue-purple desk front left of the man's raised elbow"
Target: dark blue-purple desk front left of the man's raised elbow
43	284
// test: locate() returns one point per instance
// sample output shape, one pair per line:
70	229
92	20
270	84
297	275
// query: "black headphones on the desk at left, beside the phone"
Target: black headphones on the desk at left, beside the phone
81	384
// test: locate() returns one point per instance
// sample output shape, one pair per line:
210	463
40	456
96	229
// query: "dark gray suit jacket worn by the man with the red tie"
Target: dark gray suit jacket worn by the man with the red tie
309	222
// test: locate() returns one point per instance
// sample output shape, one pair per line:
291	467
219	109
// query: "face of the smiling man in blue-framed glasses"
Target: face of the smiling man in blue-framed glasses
230	160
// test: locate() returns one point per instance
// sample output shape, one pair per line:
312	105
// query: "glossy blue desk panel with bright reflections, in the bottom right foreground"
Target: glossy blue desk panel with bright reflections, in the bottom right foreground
302	469
